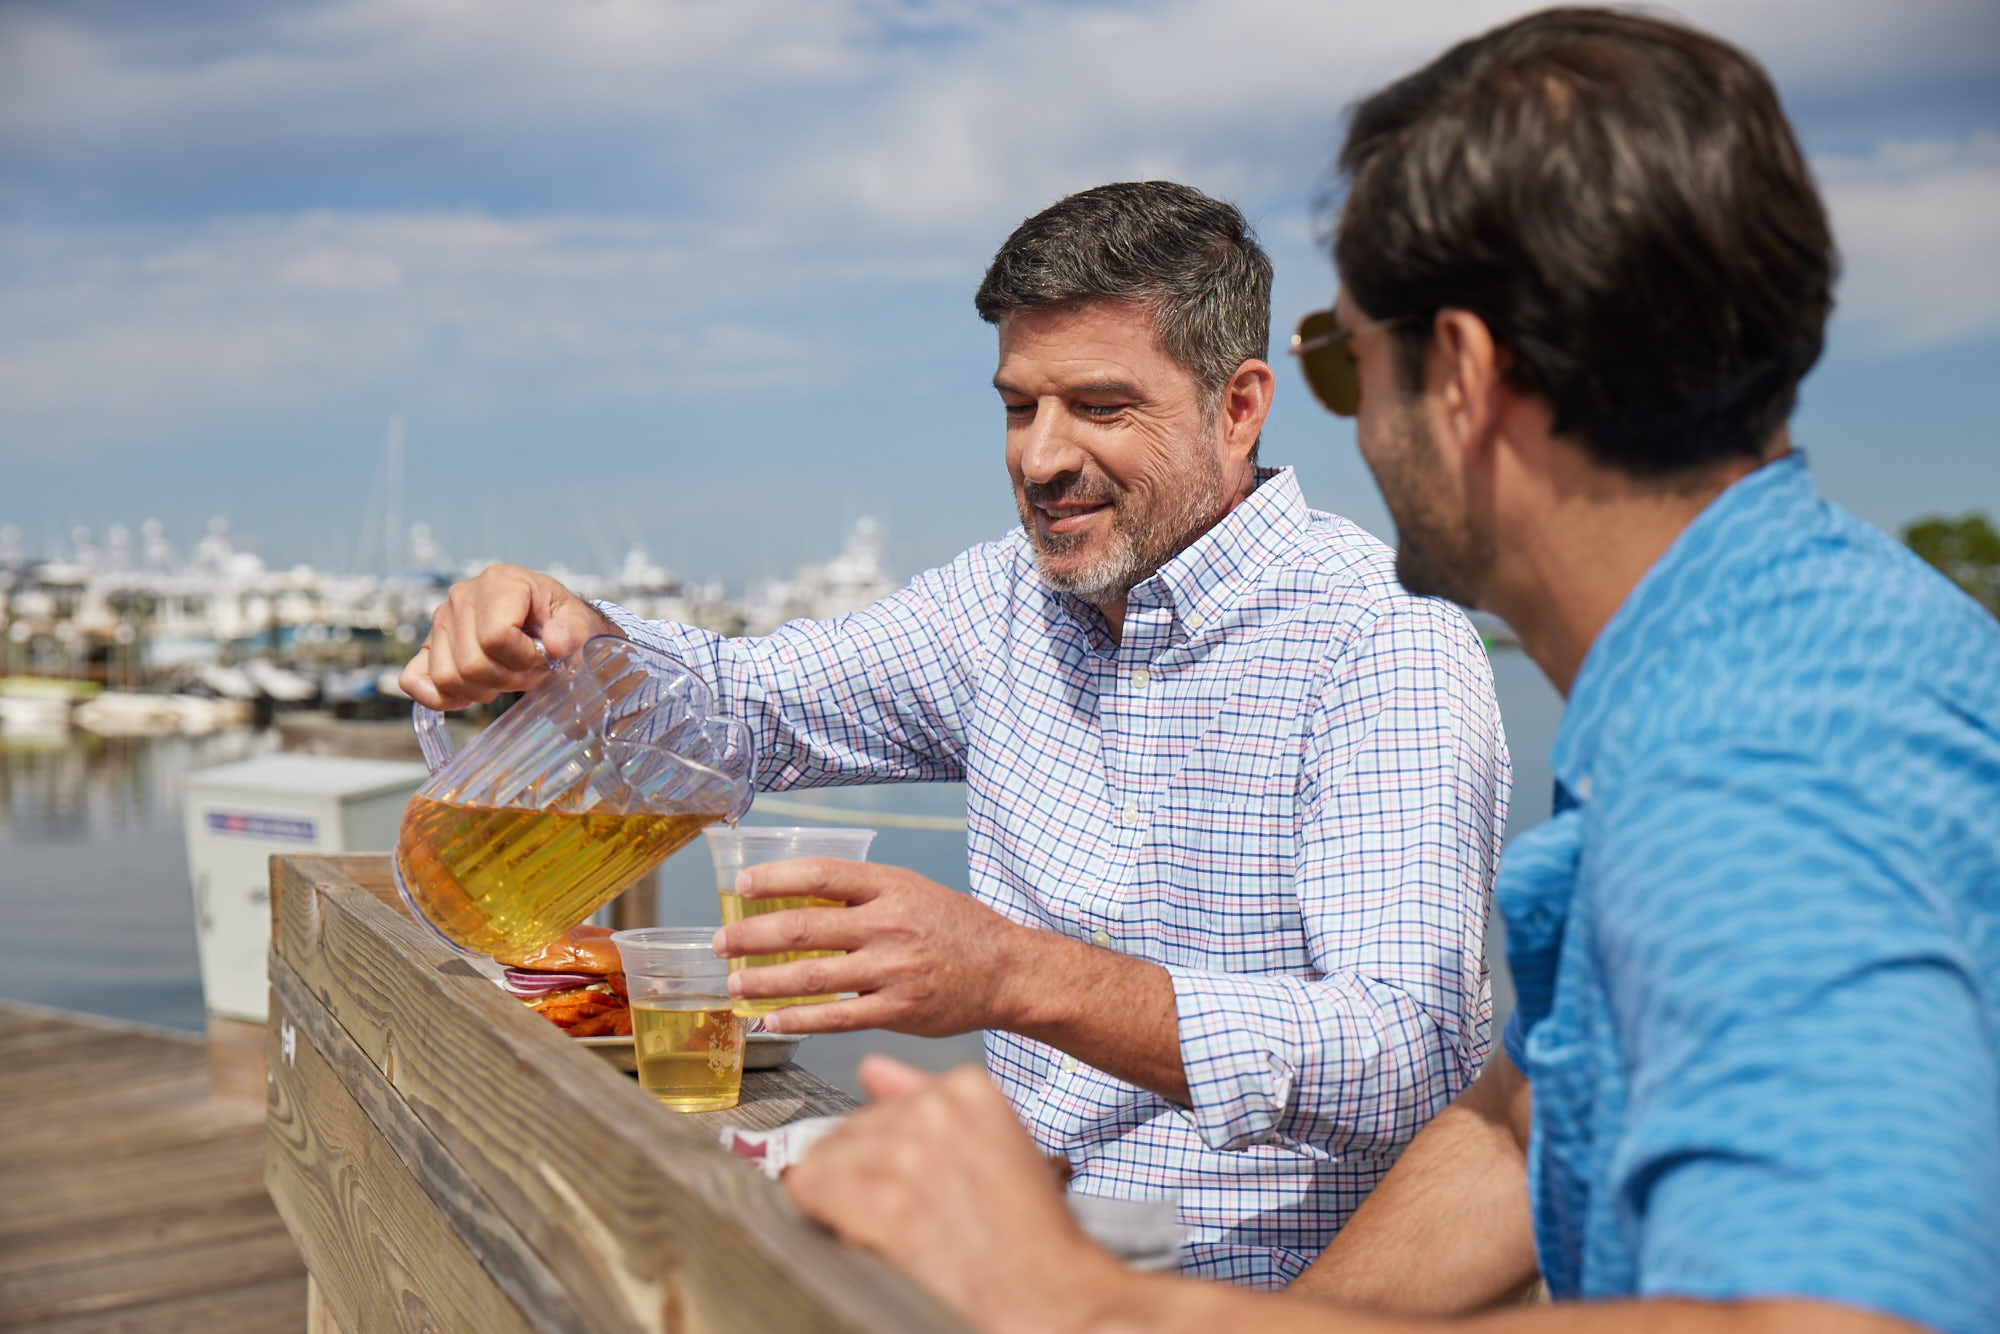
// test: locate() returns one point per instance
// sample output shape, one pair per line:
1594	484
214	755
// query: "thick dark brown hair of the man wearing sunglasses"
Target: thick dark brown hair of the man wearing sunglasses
1625	207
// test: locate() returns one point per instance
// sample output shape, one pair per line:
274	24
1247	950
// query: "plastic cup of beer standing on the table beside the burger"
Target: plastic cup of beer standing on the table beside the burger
687	1039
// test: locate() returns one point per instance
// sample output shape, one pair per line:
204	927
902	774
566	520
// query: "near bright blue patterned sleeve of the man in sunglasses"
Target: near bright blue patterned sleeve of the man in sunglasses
1813	1085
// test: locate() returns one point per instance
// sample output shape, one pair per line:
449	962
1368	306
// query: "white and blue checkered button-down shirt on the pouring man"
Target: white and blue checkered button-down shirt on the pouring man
1287	785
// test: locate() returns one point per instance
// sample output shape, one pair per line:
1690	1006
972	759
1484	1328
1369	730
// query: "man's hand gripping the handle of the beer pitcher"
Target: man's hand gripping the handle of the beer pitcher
483	639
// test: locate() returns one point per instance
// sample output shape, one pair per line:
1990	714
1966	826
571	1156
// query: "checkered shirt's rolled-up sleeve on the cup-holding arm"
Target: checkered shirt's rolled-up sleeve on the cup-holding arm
1407	785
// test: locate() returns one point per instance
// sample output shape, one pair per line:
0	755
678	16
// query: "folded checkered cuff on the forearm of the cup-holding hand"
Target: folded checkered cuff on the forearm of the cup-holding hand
1241	1045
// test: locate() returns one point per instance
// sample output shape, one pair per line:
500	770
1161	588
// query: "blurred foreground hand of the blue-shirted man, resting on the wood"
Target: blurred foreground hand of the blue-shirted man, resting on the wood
943	1181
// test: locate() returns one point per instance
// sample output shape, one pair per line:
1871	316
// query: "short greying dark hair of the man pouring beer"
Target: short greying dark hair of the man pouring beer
1191	259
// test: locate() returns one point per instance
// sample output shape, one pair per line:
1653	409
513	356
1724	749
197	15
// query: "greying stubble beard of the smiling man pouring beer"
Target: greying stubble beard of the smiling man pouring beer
1143	539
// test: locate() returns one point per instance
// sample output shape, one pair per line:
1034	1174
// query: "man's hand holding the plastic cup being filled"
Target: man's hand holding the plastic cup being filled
925	959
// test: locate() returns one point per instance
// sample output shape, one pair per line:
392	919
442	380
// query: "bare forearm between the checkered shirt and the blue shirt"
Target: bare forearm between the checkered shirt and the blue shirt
1449	1227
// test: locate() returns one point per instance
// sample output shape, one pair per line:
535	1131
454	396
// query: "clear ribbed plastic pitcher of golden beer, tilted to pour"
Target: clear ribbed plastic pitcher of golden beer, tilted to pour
589	783
